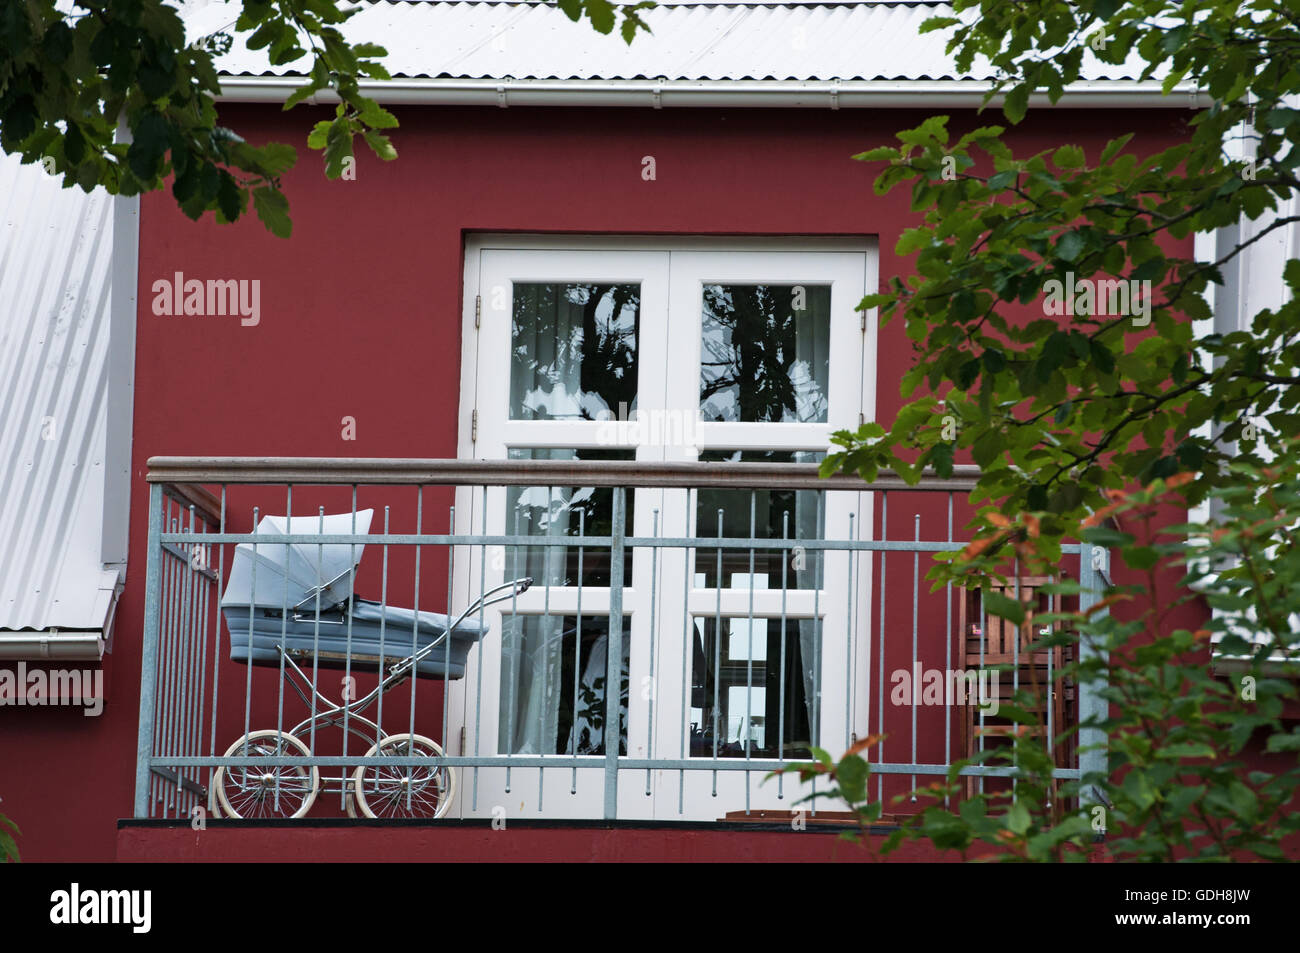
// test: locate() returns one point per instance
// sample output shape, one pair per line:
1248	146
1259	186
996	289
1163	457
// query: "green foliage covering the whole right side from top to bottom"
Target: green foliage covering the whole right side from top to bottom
1067	413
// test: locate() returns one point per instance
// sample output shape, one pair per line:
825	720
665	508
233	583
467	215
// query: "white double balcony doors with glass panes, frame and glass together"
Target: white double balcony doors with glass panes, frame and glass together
664	350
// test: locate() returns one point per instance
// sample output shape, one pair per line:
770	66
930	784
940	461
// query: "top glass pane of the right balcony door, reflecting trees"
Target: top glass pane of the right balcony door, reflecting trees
766	353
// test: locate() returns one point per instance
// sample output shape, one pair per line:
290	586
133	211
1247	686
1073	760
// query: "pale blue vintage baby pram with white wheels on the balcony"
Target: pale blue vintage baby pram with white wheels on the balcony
292	607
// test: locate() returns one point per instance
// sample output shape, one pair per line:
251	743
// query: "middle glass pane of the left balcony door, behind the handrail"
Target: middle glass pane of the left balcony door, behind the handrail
565	512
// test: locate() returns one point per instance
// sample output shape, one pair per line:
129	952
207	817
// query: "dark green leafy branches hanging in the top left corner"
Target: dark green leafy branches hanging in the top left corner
68	76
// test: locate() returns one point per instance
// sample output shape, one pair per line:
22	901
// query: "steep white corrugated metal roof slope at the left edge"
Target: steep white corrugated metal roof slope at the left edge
55	266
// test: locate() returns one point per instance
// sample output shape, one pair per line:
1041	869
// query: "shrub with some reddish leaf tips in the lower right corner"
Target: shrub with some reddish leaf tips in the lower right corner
1178	785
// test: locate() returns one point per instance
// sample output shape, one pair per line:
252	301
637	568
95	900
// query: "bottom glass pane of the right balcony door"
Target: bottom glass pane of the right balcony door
736	695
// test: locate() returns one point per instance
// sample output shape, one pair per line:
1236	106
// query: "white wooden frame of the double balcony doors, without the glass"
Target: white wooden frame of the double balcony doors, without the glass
671	272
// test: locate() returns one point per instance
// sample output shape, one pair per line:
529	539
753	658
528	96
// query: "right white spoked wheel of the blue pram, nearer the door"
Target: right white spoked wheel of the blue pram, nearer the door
405	791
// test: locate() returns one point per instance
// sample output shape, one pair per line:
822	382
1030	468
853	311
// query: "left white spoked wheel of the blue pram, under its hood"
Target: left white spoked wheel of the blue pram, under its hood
252	792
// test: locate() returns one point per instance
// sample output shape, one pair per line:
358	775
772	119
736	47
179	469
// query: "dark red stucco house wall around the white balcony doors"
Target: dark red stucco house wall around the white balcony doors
361	317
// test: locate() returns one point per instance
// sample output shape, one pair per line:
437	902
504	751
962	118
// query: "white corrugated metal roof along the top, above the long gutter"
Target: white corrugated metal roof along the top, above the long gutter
695	42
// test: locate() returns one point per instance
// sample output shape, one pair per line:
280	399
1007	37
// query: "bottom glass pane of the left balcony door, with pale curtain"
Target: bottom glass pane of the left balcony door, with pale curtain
553	686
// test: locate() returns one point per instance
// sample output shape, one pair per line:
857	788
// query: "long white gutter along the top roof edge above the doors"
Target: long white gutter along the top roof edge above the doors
822	94
